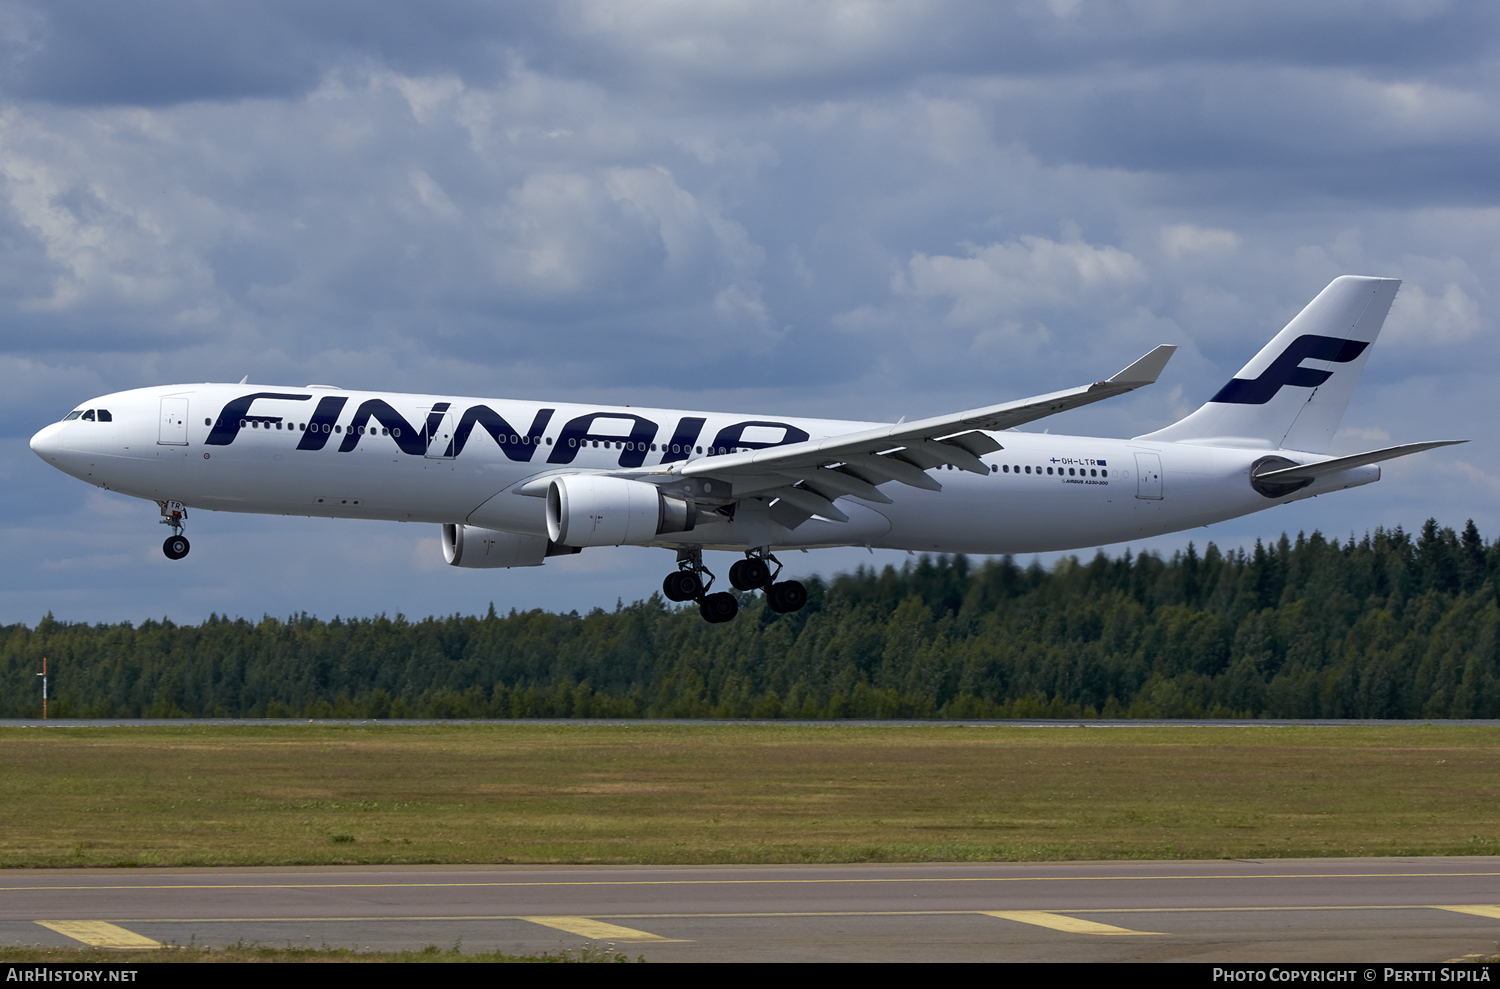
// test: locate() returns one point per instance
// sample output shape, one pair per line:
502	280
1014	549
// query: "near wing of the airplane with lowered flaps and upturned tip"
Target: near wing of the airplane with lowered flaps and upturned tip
809	476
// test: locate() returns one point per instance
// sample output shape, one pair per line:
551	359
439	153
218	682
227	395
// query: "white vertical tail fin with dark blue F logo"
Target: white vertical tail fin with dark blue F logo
1295	391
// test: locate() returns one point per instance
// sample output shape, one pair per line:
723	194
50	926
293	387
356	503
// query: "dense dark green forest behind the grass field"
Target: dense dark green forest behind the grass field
1388	627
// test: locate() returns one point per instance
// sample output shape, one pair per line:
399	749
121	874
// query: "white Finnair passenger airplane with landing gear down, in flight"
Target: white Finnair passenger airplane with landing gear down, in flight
517	482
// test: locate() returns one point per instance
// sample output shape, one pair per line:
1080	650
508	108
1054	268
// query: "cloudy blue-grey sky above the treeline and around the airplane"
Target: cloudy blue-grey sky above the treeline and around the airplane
844	209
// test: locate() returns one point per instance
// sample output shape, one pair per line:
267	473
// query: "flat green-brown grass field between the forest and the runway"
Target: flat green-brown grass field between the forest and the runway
667	793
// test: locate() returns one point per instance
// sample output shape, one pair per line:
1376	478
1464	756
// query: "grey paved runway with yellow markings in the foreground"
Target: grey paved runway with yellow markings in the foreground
1327	910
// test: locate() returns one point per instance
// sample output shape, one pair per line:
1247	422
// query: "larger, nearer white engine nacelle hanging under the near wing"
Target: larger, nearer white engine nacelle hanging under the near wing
595	511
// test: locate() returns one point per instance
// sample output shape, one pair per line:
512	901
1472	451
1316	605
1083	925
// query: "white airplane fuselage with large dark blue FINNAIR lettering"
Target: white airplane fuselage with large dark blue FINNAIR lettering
412	458
